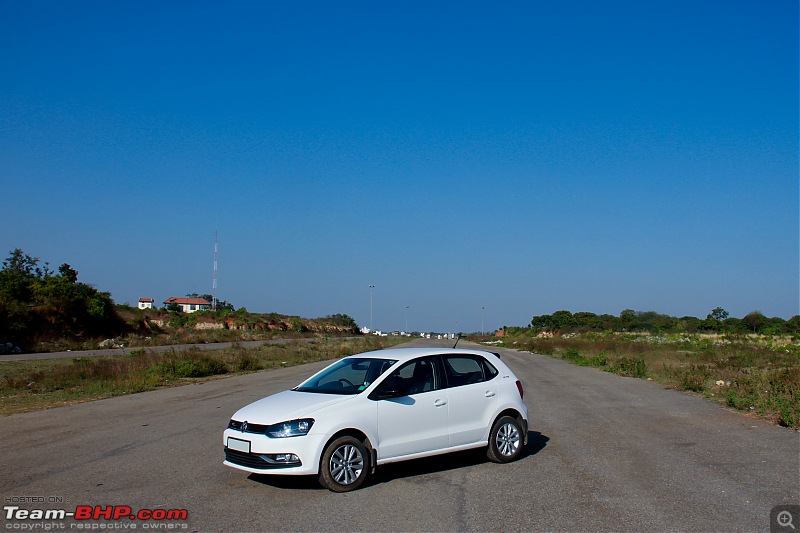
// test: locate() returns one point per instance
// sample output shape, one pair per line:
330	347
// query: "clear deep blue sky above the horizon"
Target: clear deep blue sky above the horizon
520	156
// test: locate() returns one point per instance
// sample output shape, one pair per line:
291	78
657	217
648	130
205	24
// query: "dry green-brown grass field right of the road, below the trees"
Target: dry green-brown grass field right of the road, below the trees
752	374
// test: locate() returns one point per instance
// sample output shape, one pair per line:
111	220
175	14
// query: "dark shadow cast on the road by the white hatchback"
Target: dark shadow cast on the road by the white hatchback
408	469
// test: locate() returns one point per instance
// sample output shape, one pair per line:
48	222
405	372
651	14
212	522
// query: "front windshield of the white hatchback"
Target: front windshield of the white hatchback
348	376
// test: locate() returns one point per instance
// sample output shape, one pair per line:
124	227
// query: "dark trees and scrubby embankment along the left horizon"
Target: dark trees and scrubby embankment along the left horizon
46	310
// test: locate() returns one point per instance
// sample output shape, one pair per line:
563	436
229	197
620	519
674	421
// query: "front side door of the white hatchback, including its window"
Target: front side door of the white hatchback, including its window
412	411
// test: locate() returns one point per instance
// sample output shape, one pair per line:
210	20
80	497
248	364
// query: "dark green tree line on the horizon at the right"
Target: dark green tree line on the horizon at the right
717	321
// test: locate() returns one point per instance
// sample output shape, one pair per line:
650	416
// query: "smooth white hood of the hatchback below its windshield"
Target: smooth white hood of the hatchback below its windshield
286	405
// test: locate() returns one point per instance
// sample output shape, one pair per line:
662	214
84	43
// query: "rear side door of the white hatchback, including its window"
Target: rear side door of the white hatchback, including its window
472	397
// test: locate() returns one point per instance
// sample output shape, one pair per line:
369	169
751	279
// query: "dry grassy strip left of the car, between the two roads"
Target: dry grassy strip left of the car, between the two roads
41	384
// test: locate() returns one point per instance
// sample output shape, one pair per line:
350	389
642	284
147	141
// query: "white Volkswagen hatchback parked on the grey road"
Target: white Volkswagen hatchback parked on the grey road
381	407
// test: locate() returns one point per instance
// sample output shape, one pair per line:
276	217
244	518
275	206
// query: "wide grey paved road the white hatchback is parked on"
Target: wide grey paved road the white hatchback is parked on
606	453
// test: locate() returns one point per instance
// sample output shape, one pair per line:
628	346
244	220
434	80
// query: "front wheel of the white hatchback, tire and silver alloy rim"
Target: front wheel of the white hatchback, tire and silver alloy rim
344	465
